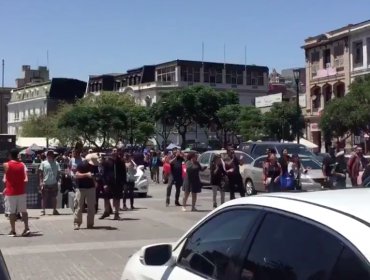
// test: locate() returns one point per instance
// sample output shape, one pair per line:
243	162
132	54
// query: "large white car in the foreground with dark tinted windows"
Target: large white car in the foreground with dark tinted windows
312	235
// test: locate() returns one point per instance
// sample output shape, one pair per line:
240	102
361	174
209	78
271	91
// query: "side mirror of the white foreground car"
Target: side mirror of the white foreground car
156	254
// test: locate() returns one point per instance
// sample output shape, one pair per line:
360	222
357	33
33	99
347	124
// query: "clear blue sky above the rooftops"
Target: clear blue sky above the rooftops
101	36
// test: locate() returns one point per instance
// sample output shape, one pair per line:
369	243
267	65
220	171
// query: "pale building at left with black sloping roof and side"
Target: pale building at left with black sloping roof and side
41	99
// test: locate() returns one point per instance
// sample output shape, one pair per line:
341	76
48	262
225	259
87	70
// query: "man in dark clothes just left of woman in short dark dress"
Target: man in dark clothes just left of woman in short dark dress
175	177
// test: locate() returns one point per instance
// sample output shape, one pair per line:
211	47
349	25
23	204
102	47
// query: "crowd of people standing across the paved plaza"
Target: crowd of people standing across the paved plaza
111	177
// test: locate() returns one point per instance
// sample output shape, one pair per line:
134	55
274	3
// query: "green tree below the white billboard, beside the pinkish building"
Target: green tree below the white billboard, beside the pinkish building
283	121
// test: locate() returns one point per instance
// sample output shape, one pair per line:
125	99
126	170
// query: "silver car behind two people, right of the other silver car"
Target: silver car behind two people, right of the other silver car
311	175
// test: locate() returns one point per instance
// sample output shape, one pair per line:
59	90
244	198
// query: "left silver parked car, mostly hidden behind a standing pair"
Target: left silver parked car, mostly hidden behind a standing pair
206	158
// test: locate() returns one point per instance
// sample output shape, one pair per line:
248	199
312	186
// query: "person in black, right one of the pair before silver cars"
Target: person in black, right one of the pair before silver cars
233	172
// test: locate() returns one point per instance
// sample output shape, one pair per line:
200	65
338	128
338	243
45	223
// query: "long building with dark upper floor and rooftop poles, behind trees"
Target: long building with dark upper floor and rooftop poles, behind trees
146	83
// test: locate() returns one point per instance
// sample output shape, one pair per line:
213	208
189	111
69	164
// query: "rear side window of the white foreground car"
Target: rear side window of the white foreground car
287	248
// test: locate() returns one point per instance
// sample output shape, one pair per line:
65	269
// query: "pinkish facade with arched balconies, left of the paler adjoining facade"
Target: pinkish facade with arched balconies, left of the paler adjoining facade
327	75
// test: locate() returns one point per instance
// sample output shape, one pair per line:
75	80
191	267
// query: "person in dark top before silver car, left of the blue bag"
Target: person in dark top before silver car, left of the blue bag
271	174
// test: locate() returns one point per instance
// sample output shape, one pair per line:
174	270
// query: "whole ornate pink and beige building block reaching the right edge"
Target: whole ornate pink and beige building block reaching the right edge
333	61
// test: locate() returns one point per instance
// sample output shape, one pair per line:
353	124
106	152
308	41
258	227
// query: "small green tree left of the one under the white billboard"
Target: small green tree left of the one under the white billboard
251	123
